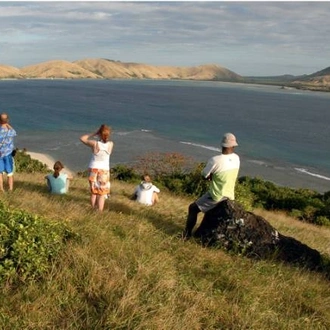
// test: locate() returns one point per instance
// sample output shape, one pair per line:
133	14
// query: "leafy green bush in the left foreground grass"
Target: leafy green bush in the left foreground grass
28	244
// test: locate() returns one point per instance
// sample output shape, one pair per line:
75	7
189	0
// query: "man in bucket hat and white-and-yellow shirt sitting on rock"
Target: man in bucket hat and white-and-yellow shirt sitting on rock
222	171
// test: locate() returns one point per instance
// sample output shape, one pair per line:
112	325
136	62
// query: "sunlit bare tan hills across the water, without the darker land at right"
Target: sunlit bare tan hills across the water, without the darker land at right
109	69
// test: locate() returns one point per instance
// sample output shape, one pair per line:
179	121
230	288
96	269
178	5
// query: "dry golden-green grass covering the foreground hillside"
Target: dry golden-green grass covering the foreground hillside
127	270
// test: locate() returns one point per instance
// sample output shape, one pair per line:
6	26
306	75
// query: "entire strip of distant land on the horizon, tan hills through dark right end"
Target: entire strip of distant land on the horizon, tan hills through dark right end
101	68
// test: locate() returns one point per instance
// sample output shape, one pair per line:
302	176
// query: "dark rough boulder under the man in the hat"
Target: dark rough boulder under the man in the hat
231	227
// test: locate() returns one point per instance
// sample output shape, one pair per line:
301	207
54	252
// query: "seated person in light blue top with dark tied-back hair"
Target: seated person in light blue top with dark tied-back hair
58	183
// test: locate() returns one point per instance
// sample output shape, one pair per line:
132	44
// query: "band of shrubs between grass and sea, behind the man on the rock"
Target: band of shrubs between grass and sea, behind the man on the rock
179	175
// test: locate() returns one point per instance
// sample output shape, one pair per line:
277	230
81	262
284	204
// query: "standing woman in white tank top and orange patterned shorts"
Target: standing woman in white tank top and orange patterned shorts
99	165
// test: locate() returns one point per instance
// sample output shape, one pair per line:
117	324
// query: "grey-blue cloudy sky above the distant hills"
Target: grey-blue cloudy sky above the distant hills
250	38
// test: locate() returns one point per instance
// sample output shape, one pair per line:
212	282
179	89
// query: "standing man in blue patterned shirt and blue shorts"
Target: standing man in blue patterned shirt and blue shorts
7	134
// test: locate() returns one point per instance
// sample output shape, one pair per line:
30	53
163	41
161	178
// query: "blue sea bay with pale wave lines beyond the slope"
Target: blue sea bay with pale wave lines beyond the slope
283	134
